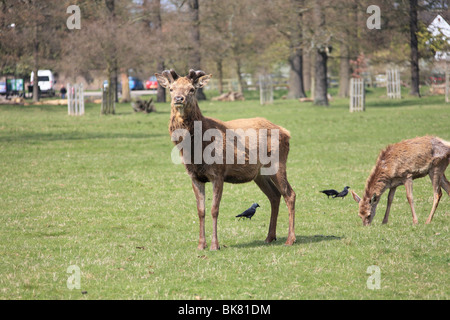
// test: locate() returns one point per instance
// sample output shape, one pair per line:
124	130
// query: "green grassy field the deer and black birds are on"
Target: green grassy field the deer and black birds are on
101	193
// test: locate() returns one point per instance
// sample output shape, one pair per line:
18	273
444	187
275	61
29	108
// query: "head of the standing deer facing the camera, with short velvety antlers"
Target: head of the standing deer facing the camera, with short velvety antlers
183	89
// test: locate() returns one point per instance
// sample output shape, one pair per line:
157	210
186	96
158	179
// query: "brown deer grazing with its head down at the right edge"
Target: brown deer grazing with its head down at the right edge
401	163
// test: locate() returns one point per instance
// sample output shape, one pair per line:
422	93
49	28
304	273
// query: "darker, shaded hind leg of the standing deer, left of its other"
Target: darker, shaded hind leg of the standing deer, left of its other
274	196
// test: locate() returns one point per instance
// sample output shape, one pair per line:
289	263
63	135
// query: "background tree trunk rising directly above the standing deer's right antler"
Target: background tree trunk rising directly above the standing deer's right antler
194	55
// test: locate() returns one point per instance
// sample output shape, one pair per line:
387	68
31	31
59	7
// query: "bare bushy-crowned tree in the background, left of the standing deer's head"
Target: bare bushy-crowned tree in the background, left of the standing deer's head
104	42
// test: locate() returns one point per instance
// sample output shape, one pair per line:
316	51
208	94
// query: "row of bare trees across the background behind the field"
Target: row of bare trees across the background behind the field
226	37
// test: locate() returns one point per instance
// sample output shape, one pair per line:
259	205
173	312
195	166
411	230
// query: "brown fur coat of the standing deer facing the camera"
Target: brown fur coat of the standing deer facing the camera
184	111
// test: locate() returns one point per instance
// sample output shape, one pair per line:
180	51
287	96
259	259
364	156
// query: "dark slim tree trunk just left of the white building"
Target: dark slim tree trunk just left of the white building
413	28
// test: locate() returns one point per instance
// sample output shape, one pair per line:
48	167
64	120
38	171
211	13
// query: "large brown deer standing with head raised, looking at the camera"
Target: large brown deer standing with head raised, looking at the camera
186	115
